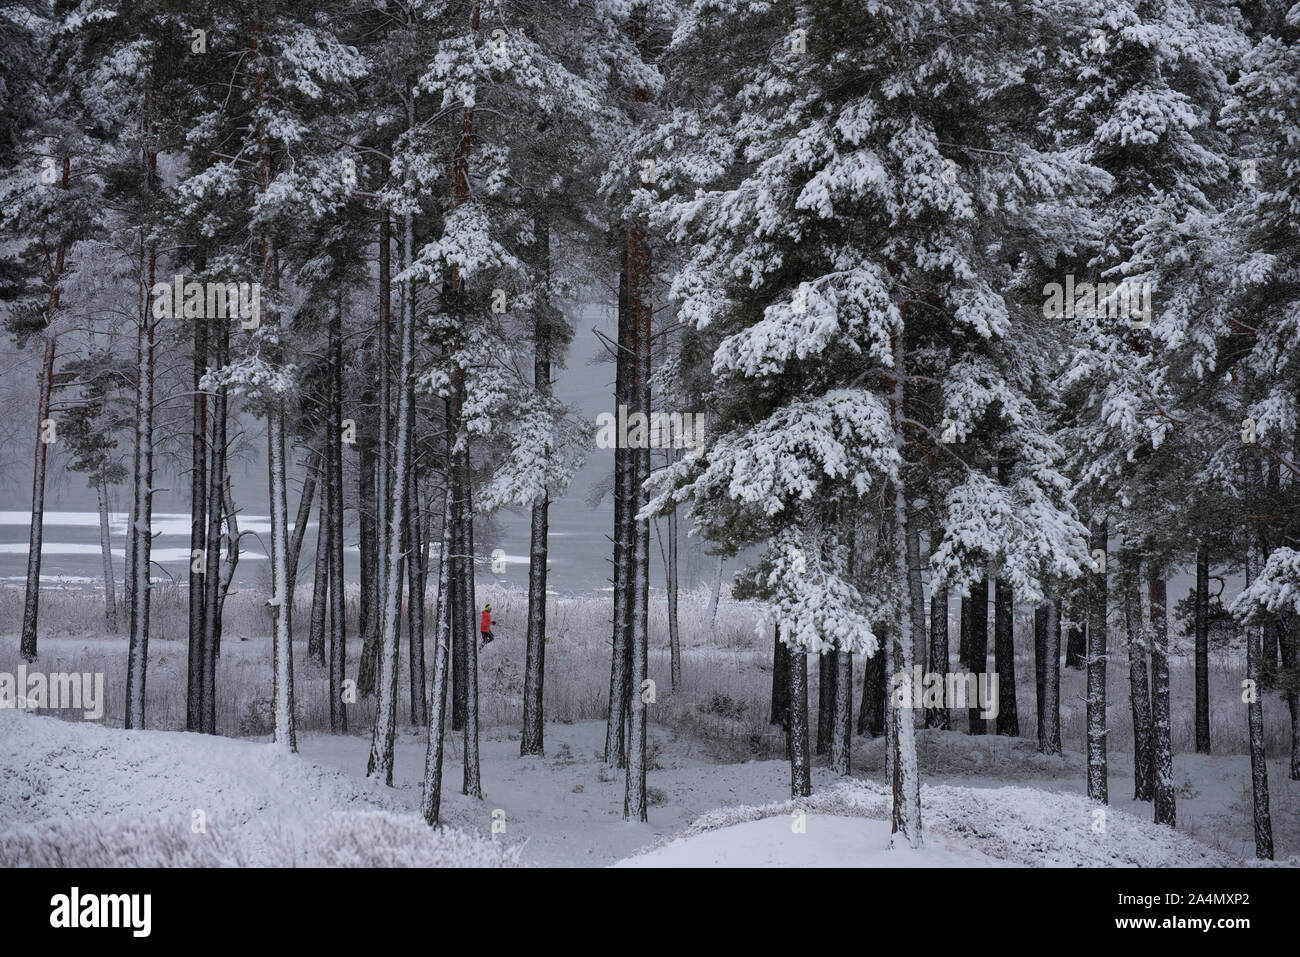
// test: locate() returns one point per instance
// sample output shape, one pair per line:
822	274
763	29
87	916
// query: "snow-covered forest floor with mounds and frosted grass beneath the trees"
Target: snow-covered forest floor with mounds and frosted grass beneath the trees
712	748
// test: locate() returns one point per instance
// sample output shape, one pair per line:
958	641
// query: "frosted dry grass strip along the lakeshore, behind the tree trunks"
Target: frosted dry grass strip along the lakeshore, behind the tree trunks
723	700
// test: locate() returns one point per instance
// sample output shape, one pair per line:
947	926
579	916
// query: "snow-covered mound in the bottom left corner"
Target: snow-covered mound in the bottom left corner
88	796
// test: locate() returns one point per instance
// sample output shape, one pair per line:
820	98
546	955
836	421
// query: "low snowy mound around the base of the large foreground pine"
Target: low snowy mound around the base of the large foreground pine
961	828
